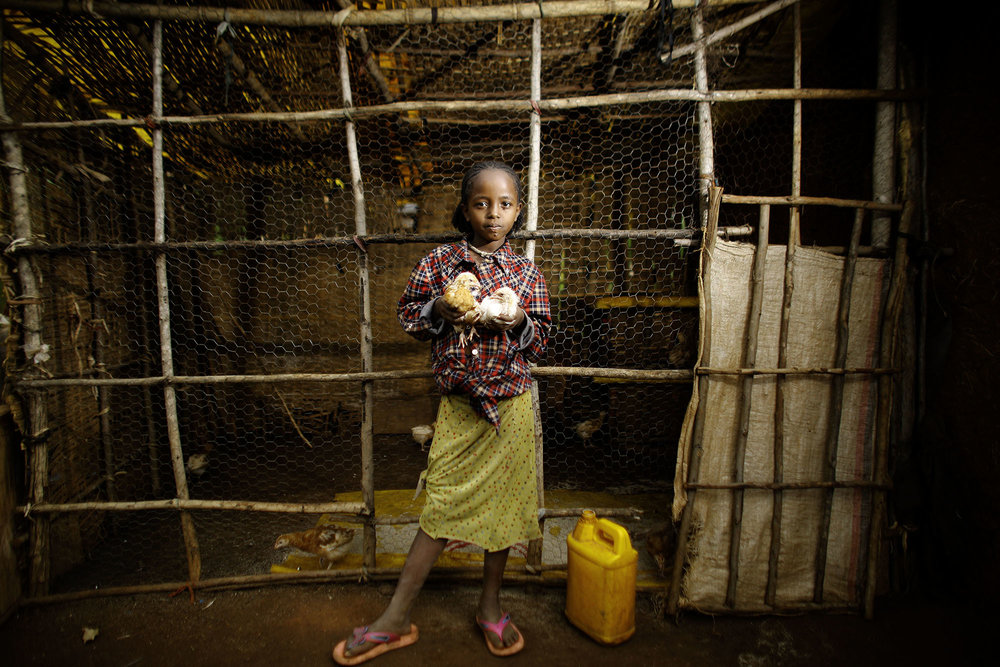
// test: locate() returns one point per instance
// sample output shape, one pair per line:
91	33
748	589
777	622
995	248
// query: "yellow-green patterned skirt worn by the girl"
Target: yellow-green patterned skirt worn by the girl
480	484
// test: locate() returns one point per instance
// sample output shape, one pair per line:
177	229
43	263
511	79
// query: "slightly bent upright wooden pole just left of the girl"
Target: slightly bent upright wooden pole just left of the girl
364	292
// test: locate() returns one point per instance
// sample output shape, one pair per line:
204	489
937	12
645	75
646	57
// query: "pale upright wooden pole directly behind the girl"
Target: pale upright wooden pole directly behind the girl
534	556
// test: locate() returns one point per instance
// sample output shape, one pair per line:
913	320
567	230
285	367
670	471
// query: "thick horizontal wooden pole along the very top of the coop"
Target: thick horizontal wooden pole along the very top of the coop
305	18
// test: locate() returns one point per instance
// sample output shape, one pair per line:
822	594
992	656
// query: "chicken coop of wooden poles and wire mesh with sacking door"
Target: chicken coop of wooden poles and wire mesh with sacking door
211	209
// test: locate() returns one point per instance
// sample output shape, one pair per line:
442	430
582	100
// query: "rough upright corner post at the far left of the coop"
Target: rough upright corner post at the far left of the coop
36	413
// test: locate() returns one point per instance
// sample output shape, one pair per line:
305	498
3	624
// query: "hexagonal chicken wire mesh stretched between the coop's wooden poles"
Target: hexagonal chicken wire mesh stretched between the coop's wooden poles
262	277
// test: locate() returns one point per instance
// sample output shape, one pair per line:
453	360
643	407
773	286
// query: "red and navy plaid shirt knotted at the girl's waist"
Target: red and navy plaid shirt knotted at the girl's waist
495	365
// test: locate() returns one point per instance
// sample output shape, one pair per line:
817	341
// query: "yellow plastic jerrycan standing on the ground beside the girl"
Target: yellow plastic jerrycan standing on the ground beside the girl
600	580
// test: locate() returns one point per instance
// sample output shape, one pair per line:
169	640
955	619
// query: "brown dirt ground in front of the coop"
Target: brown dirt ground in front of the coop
297	625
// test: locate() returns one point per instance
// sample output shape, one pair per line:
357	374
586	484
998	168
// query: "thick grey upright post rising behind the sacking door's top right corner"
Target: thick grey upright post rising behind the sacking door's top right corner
884	156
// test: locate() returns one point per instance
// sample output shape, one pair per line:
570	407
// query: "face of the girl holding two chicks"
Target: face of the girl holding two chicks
491	208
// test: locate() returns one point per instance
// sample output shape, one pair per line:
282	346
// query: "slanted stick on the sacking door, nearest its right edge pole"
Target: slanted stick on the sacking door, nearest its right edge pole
836	406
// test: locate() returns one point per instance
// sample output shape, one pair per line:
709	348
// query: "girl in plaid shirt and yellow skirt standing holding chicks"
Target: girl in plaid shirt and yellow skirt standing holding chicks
480	477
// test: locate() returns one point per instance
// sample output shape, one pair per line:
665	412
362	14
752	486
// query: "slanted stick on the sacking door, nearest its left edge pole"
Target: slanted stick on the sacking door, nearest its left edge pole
746	400
